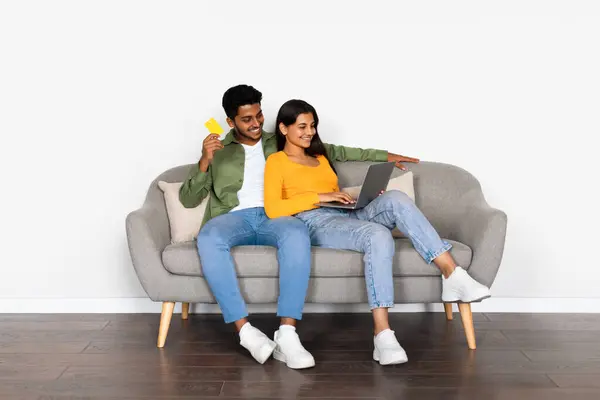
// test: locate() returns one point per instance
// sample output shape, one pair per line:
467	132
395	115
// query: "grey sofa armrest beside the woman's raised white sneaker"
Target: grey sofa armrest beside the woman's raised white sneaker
483	229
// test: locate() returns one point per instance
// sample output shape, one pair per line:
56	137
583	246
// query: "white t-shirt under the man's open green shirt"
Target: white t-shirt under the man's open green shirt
252	192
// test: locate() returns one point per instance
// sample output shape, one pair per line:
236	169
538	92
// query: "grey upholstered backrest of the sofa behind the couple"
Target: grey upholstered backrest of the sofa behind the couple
441	190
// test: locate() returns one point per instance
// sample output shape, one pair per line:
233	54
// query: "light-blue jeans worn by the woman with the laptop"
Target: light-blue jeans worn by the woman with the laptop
368	230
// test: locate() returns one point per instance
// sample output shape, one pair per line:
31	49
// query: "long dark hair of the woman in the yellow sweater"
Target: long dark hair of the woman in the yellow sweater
287	115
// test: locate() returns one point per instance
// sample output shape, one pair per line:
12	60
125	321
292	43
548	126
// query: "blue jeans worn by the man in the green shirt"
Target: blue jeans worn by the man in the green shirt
252	227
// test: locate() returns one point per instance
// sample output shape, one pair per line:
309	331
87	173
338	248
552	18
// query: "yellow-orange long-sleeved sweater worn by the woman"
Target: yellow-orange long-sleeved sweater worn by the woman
291	188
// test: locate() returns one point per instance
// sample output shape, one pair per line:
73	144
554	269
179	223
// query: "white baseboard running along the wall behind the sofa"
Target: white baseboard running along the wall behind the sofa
144	305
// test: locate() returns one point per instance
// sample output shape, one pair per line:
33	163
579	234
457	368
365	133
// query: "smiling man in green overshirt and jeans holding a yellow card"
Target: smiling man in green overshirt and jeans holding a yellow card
231	172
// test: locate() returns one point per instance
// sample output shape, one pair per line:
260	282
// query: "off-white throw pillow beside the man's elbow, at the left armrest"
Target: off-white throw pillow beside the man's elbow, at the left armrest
184	222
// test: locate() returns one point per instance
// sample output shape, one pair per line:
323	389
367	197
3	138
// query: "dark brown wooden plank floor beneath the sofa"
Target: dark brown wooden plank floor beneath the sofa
114	357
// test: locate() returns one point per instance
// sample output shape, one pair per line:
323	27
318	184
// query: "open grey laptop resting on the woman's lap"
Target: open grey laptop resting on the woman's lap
376	180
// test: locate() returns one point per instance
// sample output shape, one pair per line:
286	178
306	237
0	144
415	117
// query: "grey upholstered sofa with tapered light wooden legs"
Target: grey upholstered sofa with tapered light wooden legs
449	196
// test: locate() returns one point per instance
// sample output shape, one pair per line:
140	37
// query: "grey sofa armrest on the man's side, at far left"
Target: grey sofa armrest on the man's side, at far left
147	236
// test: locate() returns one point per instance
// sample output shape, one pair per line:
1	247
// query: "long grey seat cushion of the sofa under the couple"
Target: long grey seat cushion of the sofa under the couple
261	261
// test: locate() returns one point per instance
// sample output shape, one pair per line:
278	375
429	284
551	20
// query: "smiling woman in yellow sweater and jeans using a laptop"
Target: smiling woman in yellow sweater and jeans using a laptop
300	175
